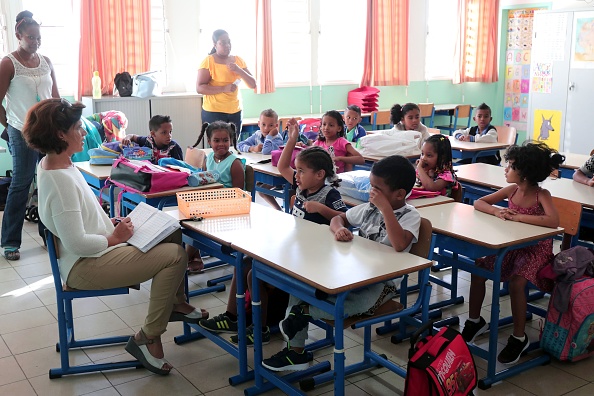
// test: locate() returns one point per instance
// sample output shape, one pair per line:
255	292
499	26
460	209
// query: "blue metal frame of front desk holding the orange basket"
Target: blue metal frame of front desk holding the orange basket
309	294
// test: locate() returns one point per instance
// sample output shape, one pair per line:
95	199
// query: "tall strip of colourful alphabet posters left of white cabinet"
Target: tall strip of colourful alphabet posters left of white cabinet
517	68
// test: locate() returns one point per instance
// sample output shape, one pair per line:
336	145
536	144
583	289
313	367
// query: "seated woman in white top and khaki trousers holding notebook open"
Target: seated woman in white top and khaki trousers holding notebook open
93	250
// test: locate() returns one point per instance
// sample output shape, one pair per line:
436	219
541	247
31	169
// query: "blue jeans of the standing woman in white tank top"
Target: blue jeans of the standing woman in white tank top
24	161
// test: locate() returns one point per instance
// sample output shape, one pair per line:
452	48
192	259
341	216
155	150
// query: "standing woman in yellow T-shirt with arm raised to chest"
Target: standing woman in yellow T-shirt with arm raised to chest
219	75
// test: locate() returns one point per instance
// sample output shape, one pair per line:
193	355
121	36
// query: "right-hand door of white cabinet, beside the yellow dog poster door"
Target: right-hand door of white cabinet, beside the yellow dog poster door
578	123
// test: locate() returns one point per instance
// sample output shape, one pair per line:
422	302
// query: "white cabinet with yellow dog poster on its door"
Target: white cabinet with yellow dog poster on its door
562	72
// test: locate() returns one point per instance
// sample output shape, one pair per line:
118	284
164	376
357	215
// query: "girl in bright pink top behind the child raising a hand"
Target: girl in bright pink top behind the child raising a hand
332	139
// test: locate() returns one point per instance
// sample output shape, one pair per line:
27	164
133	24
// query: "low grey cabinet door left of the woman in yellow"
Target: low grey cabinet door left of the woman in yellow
185	113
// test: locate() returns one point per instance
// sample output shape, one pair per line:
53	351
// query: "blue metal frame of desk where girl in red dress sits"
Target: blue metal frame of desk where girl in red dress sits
473	252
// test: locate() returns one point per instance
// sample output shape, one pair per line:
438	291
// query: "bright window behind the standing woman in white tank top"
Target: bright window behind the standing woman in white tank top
60	33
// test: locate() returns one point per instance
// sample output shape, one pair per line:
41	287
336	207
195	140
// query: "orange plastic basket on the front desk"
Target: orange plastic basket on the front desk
211	203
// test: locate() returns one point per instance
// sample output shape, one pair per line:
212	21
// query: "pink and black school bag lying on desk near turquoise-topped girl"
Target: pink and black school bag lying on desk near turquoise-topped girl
144	177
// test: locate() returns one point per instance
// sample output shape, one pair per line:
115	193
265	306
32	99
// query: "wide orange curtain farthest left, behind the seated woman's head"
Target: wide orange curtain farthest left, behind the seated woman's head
115	37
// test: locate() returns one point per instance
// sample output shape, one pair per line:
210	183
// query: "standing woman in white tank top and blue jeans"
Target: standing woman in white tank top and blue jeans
26	77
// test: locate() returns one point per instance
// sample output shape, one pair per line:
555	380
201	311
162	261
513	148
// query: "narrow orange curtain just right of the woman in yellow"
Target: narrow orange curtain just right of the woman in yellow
264	63
